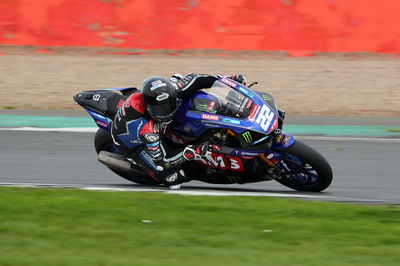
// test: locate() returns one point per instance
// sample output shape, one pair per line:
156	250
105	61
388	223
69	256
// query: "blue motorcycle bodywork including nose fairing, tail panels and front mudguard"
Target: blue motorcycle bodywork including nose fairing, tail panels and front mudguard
227	104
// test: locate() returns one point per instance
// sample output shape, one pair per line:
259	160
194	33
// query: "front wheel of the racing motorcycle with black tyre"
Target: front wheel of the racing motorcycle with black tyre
308	170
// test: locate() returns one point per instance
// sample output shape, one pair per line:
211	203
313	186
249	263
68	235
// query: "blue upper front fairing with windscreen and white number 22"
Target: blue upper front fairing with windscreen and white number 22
227	104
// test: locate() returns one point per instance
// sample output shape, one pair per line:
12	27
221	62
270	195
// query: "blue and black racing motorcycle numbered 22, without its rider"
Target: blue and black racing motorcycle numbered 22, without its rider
245	124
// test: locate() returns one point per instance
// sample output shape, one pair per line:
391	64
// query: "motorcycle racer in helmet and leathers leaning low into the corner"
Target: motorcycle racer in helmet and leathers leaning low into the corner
141	123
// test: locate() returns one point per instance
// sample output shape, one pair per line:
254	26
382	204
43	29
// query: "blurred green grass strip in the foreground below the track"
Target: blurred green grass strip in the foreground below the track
71	227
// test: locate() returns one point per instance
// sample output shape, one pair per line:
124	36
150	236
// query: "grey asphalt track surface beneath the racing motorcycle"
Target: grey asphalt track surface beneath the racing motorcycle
366	170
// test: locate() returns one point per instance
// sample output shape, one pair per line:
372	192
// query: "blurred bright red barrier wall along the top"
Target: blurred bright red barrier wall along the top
297	25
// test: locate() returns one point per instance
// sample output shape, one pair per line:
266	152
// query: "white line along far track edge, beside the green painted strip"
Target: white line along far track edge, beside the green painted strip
303	137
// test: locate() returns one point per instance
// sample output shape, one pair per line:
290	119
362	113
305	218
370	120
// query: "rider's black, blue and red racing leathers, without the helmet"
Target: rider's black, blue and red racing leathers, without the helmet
140	138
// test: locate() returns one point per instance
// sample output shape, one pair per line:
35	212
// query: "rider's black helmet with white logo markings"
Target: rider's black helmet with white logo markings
161	97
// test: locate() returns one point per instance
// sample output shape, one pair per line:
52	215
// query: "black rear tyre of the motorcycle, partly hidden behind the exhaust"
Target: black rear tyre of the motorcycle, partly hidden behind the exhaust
103	142
